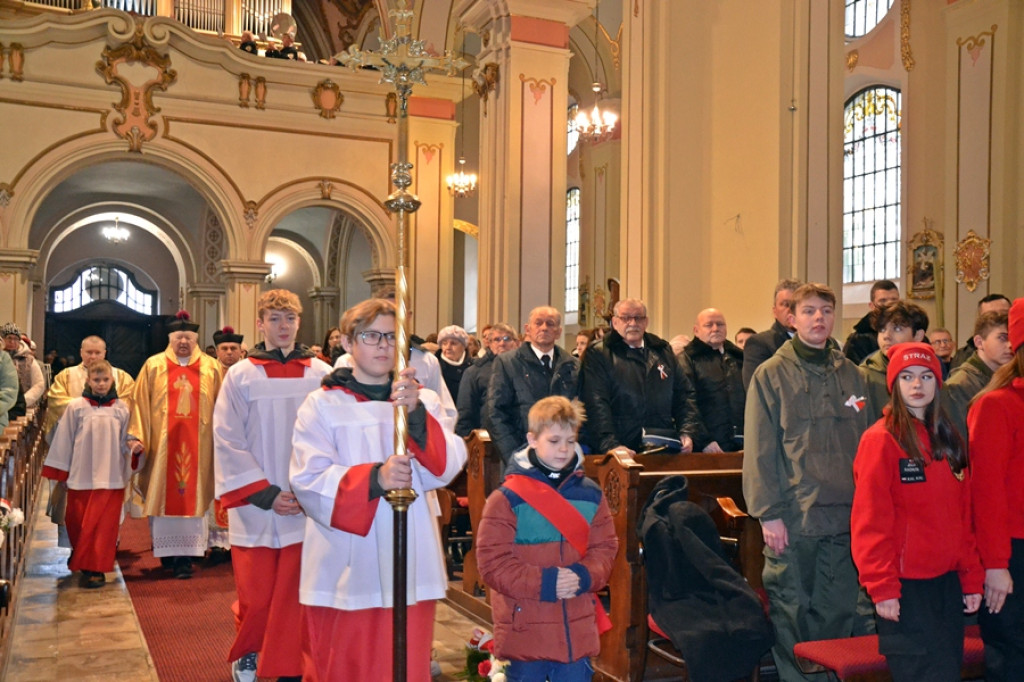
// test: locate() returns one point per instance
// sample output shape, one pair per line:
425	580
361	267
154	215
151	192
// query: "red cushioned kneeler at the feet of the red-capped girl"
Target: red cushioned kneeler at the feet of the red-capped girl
858	659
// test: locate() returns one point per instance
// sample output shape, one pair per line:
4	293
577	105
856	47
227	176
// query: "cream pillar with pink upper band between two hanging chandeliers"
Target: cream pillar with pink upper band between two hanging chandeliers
523	77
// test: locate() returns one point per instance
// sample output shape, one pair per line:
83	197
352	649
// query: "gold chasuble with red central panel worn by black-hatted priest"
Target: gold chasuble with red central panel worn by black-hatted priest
173	416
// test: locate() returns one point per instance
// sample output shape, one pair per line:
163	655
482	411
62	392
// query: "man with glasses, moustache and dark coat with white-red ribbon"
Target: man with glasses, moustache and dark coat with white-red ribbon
634	389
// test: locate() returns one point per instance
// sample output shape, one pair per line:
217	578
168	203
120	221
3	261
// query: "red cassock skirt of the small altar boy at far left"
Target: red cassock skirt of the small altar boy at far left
94	519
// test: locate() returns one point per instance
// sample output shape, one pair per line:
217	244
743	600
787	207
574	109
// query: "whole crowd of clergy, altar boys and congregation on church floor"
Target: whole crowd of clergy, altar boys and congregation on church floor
885	474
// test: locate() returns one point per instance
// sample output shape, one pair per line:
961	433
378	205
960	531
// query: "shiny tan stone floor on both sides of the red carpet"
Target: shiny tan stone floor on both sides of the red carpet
64	632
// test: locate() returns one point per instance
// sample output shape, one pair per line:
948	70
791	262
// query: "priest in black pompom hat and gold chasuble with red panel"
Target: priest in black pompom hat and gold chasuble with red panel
173	414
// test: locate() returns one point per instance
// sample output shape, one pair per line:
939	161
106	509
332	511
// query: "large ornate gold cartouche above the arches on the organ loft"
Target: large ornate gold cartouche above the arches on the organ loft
137	108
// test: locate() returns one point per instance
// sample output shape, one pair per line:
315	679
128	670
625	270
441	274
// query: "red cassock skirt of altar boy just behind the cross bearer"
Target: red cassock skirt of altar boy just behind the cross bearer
268	614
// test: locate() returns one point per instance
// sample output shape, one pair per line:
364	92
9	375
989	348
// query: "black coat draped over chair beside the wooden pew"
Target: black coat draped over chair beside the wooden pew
695	594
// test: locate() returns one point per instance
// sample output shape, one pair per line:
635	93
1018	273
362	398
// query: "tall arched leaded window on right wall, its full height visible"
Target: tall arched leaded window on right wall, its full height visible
872	170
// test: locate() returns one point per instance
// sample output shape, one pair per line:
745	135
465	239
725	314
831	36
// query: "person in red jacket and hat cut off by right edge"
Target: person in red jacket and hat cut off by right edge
996	425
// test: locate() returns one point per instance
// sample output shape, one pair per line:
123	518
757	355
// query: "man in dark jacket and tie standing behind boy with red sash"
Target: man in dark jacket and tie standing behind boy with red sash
523	377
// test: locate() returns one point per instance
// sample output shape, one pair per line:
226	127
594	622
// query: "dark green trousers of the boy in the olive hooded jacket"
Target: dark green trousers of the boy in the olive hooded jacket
813	593
